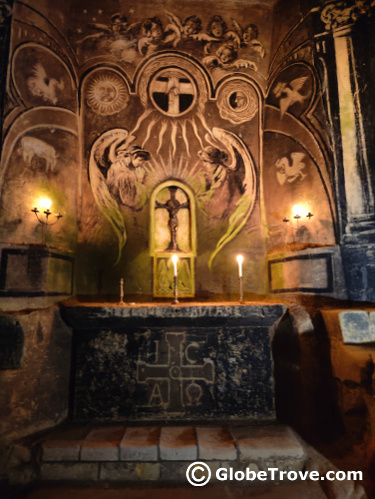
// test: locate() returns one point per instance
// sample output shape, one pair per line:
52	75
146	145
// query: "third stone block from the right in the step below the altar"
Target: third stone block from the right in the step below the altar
178	443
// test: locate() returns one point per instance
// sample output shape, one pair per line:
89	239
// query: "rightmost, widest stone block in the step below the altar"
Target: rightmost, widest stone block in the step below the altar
267	442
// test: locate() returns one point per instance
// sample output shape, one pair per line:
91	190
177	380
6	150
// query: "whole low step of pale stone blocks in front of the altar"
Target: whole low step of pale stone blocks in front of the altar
258	445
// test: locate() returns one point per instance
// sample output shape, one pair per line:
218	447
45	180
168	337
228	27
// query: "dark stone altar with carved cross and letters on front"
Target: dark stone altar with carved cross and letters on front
190	362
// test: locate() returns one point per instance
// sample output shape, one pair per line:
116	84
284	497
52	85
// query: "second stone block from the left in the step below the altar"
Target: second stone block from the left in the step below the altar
102	444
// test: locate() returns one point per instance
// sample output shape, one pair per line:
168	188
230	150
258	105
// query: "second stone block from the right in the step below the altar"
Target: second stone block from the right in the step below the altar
215	443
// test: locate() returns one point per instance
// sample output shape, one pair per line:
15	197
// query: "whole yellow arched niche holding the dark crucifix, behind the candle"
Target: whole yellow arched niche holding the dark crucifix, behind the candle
173	231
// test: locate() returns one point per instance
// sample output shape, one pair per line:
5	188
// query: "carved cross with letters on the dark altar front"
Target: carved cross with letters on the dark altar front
175	371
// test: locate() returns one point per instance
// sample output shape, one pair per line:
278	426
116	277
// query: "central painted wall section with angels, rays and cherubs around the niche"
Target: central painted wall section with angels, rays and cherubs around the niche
223	119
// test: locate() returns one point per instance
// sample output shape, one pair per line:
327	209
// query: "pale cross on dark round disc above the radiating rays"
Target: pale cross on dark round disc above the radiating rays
173	94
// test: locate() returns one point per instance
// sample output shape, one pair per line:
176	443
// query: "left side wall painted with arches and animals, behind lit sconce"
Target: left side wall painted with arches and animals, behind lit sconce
40	133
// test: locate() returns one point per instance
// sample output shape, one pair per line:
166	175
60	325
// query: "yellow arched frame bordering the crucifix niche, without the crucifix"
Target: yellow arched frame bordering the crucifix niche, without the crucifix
183	255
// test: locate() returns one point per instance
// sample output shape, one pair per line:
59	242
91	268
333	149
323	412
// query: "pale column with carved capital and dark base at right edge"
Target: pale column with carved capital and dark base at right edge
346	47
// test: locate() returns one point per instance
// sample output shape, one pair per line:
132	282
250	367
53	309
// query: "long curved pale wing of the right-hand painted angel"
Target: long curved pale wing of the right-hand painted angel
240	160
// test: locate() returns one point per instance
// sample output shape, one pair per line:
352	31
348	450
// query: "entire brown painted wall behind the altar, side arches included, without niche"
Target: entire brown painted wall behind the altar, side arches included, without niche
166	92
